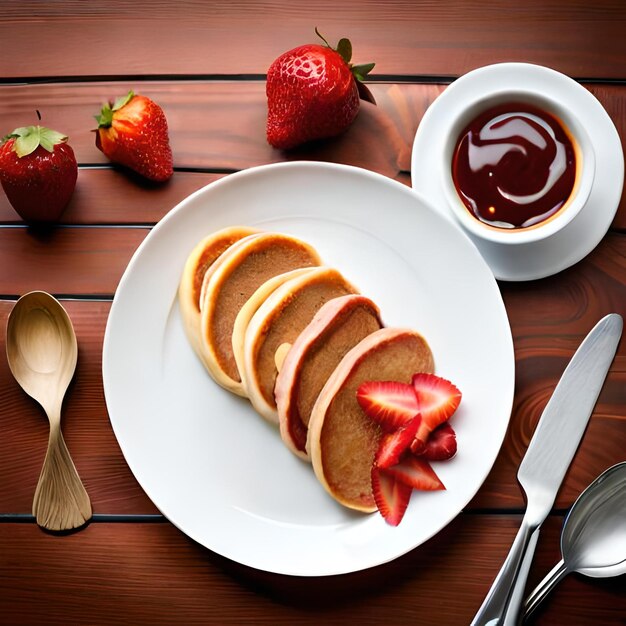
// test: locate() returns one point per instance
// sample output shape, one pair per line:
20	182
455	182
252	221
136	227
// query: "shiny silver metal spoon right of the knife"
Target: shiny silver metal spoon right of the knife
593	541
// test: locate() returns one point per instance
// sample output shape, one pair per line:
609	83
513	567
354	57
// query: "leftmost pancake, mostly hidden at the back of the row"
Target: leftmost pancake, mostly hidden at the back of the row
202	257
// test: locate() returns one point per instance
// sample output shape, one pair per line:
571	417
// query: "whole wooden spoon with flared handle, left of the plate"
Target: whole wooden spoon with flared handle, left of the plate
42	353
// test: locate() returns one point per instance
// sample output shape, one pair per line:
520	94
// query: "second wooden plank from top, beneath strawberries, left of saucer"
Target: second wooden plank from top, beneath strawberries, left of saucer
221	125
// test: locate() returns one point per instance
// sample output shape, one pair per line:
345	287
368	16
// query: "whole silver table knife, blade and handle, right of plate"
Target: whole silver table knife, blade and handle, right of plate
549	454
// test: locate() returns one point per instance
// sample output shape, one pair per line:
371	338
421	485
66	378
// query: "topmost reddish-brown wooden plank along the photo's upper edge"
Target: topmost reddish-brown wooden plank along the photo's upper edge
403	38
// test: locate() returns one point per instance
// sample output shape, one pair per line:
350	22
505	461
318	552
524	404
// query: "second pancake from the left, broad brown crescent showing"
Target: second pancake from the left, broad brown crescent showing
227	286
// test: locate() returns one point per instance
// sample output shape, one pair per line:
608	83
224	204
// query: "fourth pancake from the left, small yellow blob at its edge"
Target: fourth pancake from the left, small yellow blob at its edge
279	320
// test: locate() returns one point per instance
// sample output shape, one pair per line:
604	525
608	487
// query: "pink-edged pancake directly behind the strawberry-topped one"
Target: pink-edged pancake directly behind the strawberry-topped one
336	328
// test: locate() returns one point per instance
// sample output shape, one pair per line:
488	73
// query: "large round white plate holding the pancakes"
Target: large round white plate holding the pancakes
220	472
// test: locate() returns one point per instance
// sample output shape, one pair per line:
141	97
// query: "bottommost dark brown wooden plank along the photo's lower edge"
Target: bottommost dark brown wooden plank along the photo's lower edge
151	573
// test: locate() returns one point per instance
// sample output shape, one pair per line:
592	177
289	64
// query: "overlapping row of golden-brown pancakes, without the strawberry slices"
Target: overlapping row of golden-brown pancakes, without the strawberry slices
272	323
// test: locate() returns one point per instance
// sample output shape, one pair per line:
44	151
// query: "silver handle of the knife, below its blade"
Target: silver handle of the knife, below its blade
497	609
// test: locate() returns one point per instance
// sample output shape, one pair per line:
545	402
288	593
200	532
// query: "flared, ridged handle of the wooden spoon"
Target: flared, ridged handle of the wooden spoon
60	501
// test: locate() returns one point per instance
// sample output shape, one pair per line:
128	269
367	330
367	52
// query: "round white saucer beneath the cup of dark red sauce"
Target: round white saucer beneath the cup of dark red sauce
585	231
